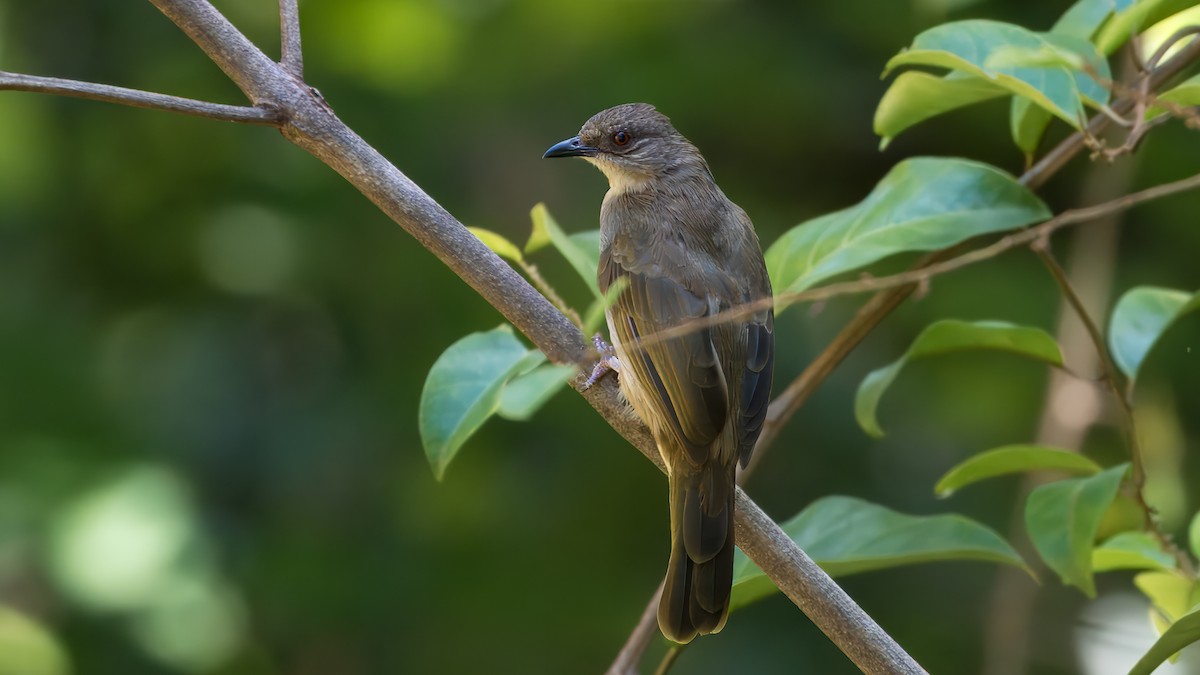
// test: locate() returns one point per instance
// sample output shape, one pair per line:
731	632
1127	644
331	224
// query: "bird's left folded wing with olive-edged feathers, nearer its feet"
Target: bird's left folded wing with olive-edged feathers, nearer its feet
681	377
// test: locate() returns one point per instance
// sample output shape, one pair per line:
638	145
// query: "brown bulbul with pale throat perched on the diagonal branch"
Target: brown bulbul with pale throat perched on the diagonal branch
683	252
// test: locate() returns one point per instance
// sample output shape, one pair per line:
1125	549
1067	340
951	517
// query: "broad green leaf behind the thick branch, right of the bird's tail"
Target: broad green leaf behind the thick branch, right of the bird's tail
849	536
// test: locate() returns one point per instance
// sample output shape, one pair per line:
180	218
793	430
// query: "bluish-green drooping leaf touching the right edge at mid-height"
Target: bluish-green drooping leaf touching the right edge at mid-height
1141	319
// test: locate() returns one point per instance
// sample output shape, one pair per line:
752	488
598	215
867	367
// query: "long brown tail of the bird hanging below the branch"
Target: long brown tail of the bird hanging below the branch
697	593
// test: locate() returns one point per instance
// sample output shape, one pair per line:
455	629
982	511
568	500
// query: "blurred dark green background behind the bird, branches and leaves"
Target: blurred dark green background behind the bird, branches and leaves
212	348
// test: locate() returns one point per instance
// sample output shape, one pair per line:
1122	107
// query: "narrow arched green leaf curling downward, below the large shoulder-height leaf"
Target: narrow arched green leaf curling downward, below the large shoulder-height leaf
949	337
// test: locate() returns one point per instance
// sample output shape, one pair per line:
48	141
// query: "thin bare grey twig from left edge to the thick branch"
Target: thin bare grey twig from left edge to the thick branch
140	99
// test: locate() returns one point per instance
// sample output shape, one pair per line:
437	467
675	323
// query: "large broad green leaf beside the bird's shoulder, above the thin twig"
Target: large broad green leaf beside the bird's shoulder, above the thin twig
922	205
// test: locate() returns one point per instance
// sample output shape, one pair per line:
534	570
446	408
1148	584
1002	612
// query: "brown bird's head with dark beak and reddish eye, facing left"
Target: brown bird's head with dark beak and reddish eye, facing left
632	145
